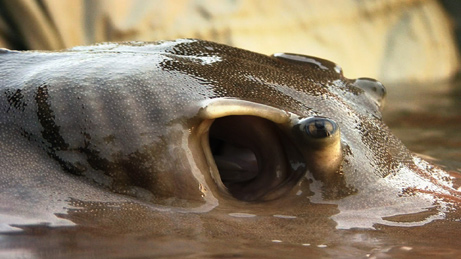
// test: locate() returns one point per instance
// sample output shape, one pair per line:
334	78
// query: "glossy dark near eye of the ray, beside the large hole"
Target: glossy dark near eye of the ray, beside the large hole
319	127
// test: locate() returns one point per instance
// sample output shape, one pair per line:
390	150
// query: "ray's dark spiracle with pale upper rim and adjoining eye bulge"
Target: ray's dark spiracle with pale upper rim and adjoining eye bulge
257	152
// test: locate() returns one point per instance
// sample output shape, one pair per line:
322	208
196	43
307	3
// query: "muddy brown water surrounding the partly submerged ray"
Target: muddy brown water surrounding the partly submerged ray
426	118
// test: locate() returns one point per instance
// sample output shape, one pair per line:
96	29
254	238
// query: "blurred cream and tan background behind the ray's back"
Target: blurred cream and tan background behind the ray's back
391	40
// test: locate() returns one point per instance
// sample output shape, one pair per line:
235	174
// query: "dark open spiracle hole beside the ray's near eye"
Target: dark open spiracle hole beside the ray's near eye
252	158
